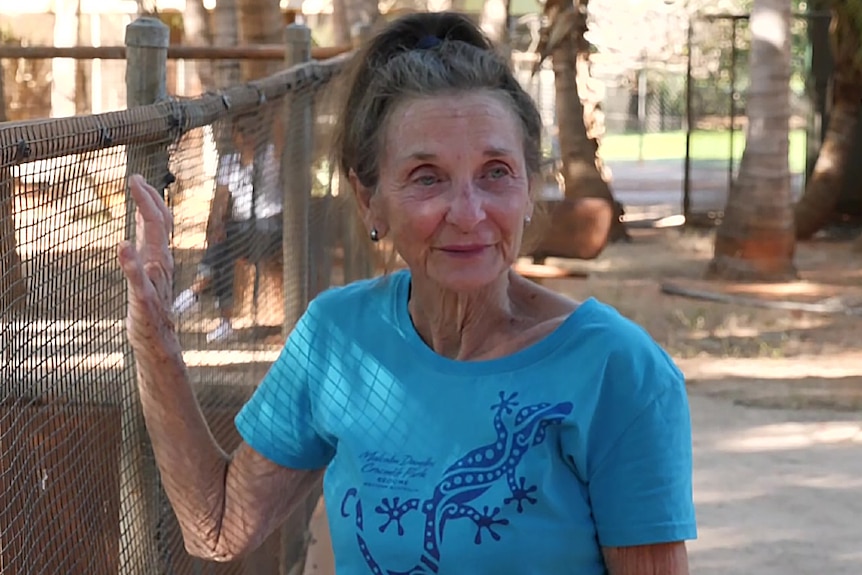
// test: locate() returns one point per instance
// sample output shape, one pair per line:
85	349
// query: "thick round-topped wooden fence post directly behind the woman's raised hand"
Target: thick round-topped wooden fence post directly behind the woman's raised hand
147	42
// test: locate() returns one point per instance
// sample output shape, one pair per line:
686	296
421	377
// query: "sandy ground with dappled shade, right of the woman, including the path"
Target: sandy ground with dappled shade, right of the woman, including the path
776	398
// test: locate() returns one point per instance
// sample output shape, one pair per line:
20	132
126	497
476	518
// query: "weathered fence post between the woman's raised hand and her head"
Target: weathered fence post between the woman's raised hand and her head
296	179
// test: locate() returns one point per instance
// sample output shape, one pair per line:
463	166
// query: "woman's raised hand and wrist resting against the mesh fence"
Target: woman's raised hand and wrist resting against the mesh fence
148	267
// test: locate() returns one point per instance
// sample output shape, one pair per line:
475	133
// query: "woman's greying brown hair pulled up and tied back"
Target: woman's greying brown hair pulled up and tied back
421	55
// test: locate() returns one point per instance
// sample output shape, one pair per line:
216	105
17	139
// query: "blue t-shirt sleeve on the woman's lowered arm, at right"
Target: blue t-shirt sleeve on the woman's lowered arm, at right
640	487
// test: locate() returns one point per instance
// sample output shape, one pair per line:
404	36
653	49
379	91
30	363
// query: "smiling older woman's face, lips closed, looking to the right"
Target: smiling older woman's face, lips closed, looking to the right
453	190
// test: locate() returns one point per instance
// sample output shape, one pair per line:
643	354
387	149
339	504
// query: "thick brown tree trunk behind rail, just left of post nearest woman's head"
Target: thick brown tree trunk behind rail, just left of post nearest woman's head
260	22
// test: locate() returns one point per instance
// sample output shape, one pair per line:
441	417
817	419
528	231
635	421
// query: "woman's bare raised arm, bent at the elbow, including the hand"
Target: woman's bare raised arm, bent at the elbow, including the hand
226	505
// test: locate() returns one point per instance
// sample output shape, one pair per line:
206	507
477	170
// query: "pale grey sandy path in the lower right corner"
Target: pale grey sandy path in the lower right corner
778	492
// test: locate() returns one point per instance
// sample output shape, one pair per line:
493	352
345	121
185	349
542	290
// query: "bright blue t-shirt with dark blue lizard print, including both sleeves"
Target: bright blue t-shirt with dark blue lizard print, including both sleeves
529	463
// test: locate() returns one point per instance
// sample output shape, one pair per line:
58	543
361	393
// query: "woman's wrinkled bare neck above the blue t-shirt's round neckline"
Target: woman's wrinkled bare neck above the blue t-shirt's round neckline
461	325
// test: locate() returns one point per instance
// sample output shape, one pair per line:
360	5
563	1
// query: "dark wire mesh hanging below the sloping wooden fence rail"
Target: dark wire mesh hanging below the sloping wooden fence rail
260	227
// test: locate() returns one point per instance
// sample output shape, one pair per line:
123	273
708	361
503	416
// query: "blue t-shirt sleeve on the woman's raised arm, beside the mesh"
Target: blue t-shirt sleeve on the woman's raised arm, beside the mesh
278	421
